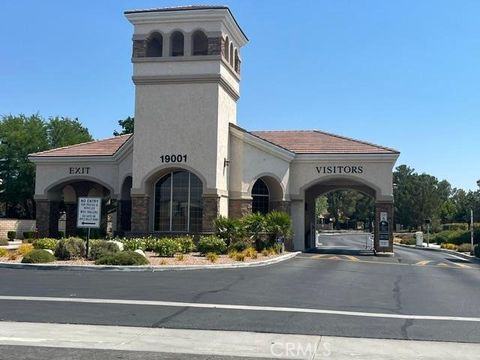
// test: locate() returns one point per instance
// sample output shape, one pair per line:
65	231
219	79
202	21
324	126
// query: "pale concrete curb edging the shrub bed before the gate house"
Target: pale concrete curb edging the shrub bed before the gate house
148	268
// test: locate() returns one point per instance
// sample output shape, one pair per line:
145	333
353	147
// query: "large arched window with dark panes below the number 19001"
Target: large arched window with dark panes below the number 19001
178	203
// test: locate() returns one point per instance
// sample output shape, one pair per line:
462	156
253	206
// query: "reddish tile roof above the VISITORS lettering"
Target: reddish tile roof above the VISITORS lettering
319	142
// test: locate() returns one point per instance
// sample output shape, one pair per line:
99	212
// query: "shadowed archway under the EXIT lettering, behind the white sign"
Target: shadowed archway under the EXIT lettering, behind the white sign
57	216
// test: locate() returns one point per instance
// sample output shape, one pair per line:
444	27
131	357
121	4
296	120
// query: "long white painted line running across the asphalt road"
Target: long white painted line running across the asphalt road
240	307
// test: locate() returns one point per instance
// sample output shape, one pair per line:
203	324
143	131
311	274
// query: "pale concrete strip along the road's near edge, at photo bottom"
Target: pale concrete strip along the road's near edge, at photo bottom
226	343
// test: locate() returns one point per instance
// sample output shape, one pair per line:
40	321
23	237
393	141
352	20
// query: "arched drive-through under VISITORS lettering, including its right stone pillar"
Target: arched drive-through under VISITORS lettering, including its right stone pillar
344	215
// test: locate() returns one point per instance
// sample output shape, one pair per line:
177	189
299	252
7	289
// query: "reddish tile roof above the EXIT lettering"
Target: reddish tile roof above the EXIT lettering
106	147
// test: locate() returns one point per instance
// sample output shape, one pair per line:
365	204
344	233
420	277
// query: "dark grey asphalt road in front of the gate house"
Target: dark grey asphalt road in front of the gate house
414	282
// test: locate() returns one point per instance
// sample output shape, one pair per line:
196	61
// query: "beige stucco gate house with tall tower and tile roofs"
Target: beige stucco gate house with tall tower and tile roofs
189	161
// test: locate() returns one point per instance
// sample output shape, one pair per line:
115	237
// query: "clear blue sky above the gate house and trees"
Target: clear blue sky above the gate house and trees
404	74
